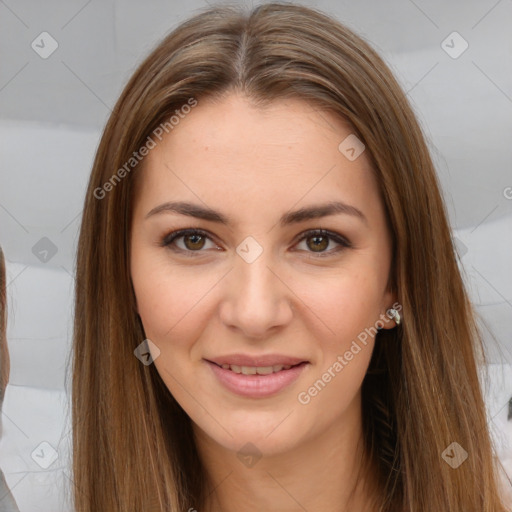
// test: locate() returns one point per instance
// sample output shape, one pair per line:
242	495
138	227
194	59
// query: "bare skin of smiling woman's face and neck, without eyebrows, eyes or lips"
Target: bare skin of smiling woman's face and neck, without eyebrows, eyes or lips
254	165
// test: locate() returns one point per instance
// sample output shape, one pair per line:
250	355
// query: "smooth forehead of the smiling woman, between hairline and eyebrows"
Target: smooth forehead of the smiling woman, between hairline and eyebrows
229	152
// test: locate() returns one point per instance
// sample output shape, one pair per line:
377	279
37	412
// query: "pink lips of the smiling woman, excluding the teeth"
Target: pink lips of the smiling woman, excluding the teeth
256	386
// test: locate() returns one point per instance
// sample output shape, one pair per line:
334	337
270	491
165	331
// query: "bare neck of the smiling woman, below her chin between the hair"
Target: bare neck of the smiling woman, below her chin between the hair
328	472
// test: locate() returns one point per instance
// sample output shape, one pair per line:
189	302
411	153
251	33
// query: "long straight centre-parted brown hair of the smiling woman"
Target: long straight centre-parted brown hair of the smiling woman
133	447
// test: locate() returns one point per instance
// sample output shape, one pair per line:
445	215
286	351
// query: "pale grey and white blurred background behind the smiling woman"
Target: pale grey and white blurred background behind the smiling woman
63	65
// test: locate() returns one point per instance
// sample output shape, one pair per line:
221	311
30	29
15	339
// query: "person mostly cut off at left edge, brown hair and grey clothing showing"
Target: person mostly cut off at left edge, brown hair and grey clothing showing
7	503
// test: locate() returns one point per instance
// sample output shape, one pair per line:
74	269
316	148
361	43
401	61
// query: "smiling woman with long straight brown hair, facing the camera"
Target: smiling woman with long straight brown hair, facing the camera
269	311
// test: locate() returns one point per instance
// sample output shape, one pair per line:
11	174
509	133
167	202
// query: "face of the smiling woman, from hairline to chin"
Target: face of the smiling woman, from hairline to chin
256	276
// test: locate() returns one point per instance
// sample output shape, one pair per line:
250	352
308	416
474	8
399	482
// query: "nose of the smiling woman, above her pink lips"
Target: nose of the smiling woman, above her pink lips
257	300
